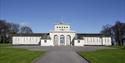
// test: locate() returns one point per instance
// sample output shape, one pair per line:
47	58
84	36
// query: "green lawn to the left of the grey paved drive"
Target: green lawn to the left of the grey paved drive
14	55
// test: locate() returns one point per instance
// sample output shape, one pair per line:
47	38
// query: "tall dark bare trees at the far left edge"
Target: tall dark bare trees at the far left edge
7	30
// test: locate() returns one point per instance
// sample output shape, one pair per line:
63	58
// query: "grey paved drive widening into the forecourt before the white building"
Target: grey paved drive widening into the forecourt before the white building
62	54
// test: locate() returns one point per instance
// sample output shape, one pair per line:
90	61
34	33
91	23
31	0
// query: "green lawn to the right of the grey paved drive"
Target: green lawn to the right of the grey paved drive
105	56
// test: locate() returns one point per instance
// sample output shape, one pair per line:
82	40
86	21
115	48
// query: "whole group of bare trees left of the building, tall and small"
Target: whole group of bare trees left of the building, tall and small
7	30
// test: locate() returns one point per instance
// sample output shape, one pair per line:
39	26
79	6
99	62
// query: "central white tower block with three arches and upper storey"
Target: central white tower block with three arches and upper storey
62	34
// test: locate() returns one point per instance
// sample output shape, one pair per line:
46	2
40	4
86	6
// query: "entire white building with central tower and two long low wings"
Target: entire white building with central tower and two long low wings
61	35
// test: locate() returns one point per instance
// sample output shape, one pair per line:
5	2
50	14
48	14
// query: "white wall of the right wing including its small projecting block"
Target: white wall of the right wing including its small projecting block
93	41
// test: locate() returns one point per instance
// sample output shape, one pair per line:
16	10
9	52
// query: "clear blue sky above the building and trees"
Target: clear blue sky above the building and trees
87	16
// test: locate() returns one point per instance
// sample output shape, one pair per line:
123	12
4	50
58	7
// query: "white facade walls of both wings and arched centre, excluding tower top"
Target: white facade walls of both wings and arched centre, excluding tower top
50	42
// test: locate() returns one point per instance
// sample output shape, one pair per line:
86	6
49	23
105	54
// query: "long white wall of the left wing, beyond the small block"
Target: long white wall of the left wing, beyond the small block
25	40
